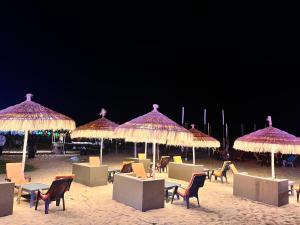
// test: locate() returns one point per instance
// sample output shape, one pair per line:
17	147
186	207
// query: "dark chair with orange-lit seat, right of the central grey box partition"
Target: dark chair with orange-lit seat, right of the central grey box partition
196	182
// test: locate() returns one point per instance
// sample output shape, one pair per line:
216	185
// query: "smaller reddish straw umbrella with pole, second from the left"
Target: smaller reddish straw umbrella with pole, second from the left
101	129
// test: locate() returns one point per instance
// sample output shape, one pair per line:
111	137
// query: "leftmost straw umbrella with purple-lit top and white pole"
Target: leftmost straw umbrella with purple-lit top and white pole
29	116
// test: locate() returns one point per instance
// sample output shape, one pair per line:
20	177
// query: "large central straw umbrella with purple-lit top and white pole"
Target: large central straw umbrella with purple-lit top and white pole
156	128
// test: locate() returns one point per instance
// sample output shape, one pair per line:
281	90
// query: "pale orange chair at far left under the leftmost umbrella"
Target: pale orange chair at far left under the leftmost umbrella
15	174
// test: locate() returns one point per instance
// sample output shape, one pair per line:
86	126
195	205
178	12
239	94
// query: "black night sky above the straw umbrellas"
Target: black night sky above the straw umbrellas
78	57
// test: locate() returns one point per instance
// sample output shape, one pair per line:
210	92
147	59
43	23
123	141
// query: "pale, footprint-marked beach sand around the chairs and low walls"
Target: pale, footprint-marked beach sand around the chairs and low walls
85	205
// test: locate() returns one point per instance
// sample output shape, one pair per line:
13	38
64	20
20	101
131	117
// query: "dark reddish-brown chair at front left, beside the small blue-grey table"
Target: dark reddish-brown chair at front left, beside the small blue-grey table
56	192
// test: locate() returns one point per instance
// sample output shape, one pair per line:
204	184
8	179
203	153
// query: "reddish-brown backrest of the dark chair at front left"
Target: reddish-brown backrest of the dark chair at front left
58	188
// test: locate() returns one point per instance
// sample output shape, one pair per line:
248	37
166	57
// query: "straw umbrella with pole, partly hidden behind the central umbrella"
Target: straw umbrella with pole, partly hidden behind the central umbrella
202	140
